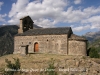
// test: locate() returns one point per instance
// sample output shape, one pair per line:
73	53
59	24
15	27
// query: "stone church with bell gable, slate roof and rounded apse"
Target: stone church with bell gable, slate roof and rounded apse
59	40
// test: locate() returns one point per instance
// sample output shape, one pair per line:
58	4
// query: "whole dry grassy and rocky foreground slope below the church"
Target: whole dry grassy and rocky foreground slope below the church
64	65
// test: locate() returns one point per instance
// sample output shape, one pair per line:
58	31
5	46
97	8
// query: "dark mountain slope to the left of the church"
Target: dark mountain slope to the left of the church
6	39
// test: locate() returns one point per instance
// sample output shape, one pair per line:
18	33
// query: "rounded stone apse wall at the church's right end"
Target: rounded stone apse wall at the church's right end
77	47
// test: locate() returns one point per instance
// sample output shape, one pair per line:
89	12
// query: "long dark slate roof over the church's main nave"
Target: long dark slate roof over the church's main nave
47	31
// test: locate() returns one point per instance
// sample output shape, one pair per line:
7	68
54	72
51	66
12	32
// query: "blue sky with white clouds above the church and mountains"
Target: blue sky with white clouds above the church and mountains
82	15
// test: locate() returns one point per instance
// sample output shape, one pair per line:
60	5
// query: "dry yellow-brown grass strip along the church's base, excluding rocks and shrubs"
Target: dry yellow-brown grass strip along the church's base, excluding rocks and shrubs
40	61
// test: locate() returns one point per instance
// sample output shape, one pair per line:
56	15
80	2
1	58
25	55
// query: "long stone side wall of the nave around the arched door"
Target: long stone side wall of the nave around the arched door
55	44
